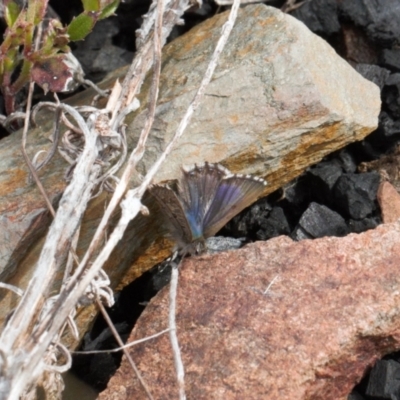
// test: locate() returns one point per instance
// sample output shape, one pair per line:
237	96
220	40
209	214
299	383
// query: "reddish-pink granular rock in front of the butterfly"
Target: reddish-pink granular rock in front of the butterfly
333	309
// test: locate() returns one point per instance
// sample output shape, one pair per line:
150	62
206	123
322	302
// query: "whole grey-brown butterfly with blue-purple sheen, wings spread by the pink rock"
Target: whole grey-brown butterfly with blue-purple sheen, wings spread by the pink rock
203	201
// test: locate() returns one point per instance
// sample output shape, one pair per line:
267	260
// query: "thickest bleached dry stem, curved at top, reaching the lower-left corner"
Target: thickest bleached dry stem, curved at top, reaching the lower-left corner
17	333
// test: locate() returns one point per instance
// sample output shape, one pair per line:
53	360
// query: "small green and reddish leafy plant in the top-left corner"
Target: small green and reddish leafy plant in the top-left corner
32	51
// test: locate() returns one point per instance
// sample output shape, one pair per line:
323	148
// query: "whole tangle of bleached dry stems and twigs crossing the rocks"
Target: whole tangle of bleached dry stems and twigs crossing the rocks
31	352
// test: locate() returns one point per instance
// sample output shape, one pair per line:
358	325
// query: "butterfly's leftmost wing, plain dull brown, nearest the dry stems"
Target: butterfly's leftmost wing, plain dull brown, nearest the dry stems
176	218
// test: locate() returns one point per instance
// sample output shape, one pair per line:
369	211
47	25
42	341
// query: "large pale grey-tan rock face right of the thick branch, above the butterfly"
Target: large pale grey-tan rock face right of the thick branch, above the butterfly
280	99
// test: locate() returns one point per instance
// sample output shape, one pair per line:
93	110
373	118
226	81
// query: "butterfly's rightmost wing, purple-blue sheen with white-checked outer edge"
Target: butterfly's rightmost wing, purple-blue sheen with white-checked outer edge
234	193
